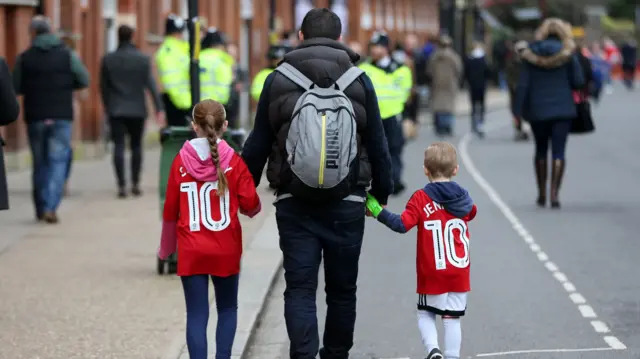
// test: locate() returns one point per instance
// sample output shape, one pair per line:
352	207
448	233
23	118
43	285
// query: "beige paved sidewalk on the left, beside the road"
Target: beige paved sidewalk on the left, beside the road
87	288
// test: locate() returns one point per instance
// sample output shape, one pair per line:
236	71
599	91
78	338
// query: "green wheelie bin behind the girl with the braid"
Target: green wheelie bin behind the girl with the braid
171	139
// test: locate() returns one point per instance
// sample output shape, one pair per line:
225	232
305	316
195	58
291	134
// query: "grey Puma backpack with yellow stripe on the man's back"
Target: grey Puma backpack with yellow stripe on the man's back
321	146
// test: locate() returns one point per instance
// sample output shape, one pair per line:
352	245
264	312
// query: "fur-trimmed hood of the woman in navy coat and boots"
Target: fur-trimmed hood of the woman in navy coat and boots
553	47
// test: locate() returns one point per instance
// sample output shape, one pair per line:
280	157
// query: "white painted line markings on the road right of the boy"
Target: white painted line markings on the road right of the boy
586	310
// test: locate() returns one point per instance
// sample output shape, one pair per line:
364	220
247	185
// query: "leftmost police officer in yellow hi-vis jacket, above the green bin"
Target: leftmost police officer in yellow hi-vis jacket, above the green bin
172	61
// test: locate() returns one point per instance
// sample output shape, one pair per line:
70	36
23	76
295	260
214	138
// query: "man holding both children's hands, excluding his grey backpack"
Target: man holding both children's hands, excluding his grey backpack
332	231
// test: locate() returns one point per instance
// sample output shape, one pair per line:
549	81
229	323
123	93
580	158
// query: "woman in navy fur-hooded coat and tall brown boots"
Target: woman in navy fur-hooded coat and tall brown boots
544	96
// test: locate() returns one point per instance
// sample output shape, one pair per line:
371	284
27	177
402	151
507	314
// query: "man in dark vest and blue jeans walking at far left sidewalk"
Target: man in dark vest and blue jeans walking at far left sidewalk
46	74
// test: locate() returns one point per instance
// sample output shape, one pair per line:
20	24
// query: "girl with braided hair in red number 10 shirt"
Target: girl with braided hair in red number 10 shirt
208	184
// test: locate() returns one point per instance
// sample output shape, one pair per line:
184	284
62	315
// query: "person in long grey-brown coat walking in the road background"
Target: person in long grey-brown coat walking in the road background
445	71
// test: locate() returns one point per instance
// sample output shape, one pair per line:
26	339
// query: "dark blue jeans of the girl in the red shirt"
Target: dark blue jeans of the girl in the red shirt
196	294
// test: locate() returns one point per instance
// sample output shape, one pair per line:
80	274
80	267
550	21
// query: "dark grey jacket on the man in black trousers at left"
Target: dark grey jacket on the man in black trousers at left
125	74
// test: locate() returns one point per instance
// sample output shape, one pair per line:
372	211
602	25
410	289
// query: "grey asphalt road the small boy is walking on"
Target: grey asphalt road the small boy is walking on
547	284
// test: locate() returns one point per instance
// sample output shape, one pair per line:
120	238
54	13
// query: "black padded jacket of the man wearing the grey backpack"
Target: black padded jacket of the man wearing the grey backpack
323	61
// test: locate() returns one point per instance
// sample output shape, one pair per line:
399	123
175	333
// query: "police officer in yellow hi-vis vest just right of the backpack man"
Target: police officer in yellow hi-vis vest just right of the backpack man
393	86
